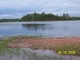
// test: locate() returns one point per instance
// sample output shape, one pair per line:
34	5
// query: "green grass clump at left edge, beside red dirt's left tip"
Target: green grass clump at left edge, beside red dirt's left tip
4	49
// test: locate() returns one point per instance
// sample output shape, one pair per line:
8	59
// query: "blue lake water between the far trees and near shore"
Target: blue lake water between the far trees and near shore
48	29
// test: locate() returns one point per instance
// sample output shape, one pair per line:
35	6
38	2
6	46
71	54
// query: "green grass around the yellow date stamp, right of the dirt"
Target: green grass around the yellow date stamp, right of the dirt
69	47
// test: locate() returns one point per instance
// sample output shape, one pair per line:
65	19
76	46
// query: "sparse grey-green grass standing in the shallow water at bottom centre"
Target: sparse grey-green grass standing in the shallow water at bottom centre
31	55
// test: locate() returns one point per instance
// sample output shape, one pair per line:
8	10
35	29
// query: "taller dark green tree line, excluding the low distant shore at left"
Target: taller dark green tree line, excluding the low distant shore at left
47	17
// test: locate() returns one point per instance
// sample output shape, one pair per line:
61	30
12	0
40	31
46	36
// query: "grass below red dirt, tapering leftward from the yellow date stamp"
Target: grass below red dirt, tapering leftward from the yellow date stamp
71	49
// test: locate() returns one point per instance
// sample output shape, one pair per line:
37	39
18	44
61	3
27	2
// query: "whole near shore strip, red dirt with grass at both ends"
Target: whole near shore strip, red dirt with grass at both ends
68	44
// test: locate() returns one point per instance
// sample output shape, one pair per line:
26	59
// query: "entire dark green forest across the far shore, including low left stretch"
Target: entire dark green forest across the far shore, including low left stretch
42	17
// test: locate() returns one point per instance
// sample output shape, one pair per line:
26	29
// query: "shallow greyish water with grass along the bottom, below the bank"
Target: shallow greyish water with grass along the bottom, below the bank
29	54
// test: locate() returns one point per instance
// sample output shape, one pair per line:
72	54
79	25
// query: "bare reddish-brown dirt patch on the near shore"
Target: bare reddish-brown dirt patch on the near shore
43	42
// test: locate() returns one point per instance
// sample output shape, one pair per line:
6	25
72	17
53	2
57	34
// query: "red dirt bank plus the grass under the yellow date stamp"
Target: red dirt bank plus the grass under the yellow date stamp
58	44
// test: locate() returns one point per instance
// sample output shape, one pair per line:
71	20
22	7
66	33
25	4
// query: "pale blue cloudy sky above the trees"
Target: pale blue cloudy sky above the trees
19	8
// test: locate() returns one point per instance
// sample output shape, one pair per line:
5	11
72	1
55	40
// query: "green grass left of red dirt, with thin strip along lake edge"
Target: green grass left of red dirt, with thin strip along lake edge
4	41
